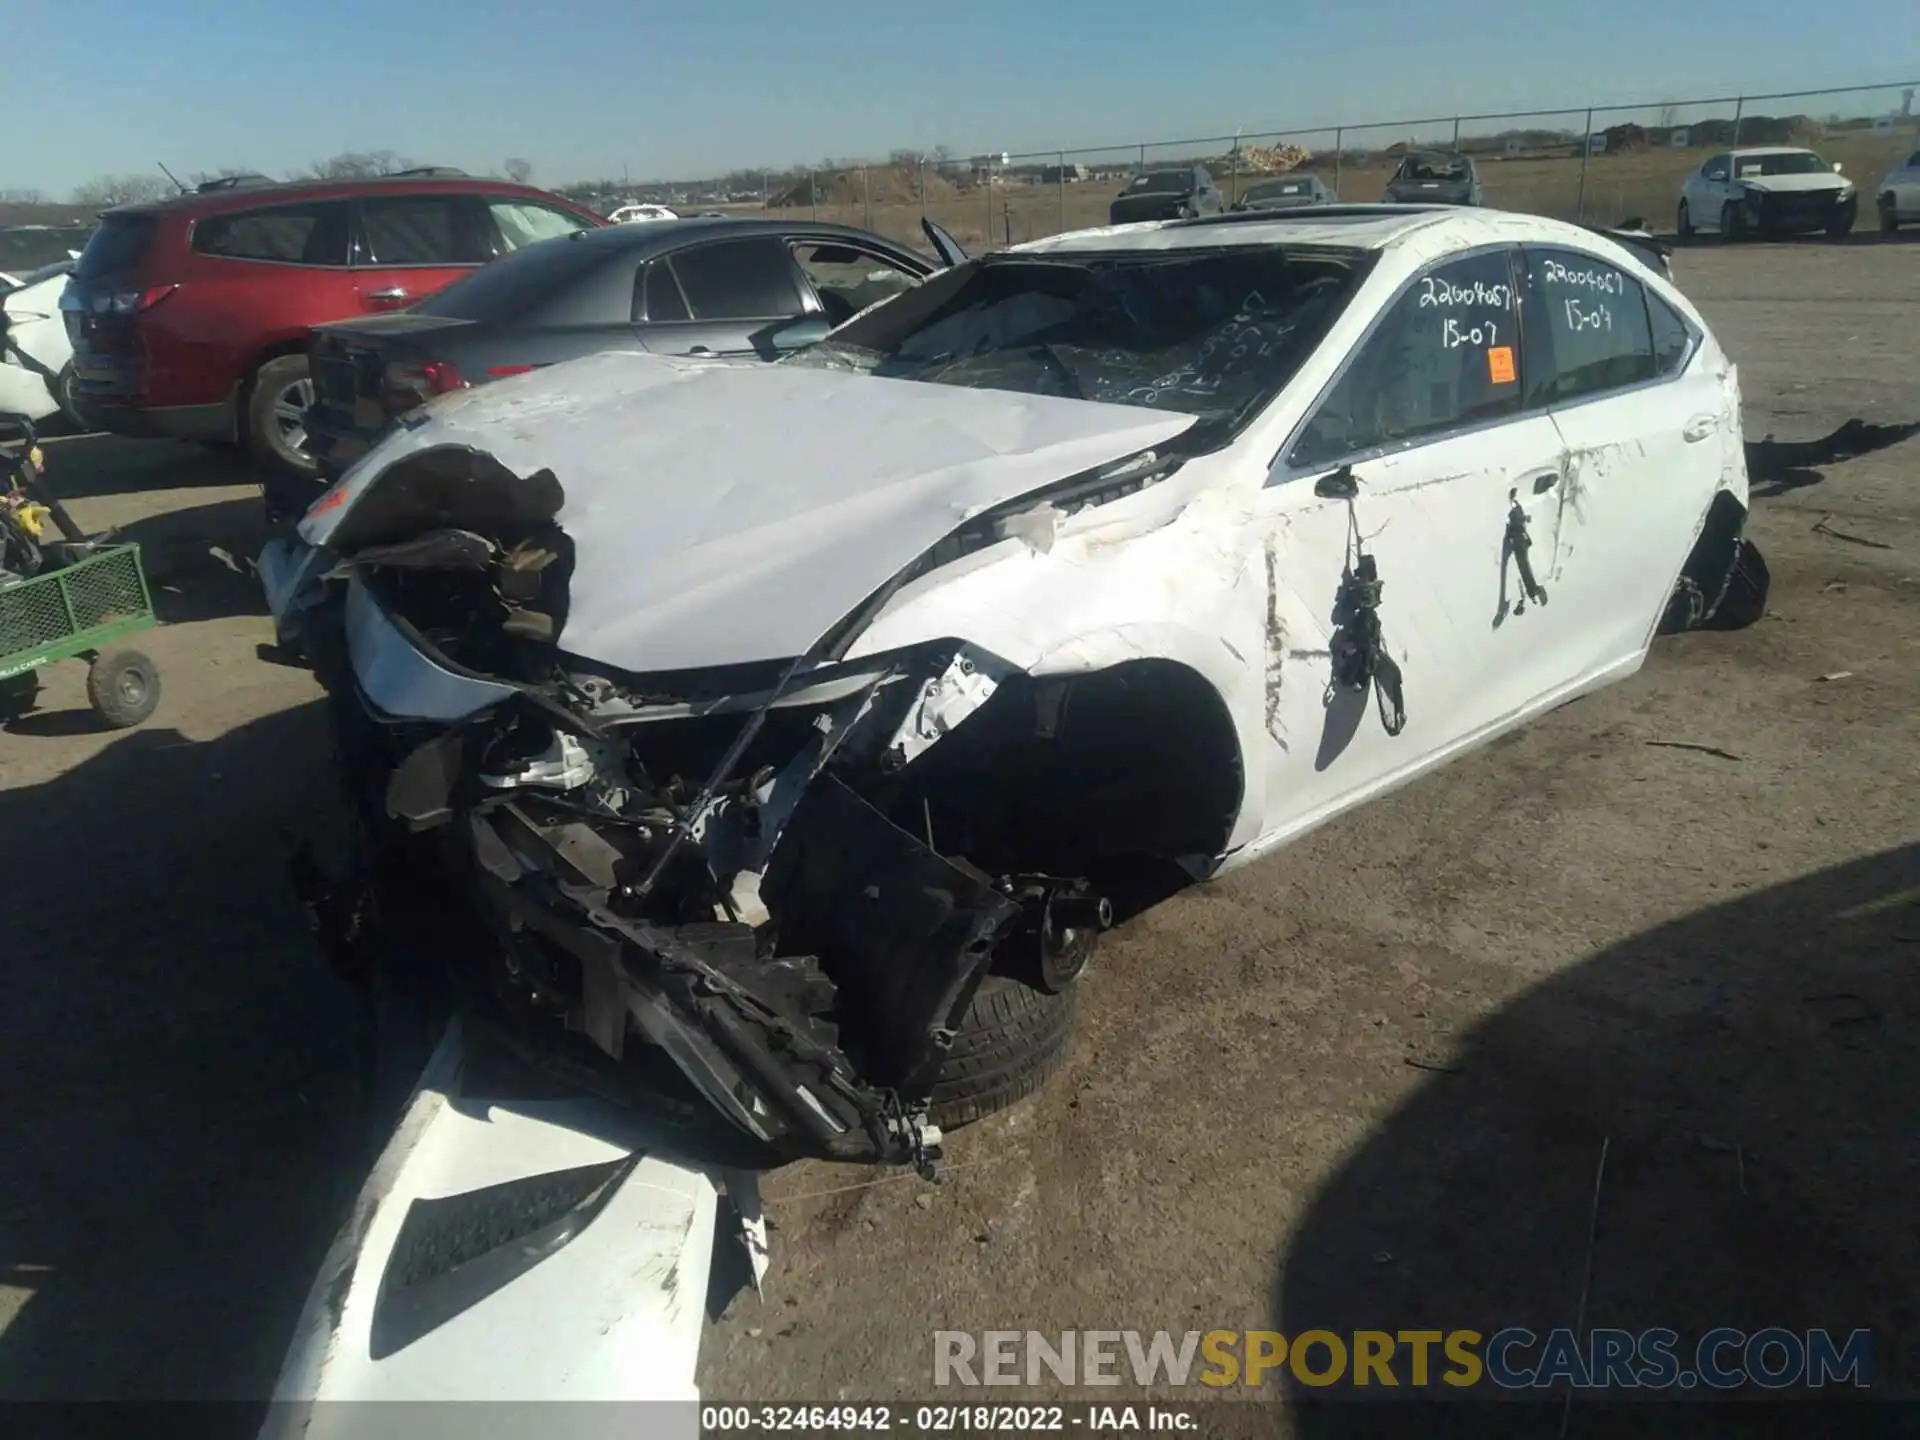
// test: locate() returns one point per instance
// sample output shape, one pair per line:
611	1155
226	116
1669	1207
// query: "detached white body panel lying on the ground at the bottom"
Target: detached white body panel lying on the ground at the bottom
608	1324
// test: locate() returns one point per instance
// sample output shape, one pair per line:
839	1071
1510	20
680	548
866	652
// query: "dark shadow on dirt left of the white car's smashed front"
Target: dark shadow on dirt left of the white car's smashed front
178	1068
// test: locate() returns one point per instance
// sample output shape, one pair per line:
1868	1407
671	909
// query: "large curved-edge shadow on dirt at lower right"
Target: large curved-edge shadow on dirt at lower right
1750	1070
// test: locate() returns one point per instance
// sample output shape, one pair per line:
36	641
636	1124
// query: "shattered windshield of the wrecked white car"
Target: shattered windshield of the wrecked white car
1211	333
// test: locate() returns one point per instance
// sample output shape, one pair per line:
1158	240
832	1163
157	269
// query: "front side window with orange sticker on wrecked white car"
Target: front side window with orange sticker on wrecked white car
1445	356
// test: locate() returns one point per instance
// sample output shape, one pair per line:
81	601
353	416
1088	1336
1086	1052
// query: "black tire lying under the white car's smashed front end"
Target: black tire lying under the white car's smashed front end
1011	1040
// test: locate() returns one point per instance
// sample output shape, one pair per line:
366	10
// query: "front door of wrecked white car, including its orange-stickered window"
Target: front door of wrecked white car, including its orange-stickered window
1428	421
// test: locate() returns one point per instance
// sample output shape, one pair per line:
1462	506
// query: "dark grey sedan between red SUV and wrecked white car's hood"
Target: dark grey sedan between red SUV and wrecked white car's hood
692	287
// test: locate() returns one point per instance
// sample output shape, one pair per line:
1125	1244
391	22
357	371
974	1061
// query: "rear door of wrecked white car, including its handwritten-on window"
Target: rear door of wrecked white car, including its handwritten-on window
1648	427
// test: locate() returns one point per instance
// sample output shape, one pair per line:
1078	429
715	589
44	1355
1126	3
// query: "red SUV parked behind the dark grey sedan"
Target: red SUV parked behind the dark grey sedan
191	316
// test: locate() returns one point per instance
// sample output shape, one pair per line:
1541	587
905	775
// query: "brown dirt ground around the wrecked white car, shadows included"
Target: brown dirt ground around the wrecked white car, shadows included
1364	1084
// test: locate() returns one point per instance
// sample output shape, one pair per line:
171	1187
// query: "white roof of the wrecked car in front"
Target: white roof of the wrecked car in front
1439	229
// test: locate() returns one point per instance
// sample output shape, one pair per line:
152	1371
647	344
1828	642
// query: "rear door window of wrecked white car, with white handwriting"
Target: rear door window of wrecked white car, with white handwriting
1587	327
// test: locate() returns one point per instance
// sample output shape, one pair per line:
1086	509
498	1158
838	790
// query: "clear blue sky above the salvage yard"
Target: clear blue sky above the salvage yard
590	87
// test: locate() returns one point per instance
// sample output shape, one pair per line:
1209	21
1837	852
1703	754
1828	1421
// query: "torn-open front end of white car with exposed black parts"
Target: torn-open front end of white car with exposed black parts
713	869
